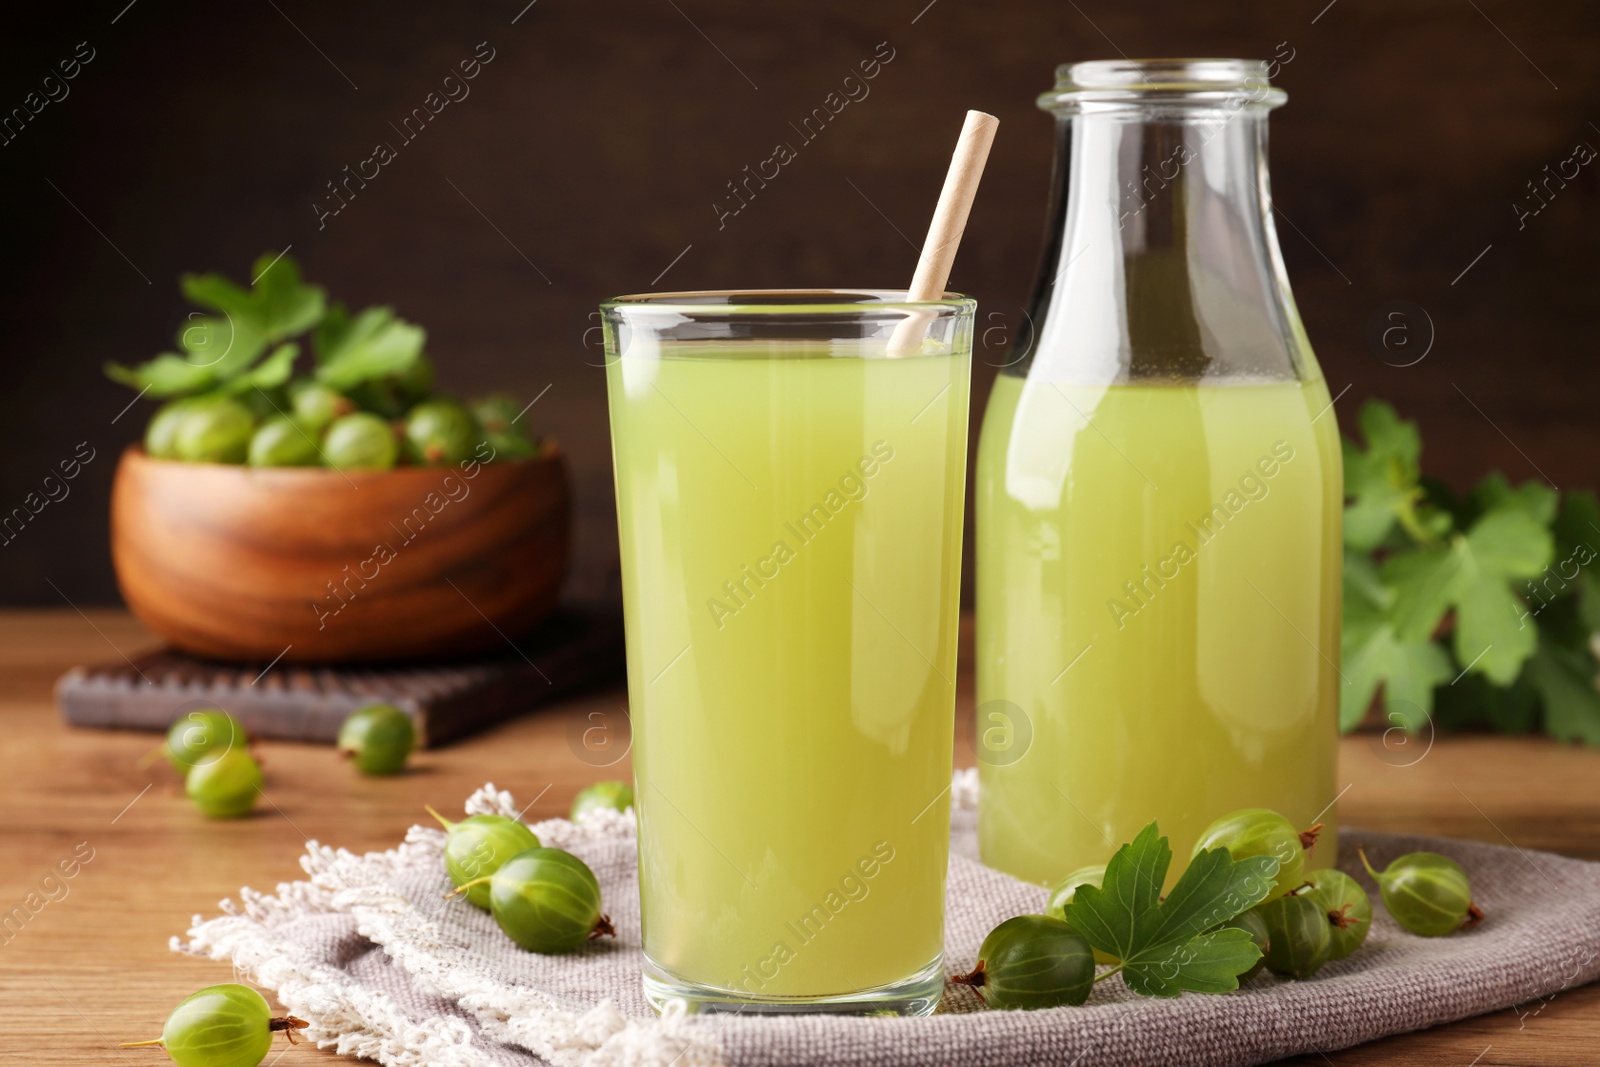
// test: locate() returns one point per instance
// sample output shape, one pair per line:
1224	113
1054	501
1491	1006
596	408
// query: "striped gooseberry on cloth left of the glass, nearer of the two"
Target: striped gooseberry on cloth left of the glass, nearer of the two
546	900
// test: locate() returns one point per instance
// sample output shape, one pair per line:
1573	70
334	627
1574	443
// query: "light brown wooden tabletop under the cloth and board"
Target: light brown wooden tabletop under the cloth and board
92	969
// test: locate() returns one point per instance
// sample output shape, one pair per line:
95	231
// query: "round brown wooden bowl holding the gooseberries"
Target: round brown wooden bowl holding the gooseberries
316	565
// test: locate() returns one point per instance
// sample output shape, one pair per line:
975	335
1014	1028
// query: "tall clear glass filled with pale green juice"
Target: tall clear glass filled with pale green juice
790	502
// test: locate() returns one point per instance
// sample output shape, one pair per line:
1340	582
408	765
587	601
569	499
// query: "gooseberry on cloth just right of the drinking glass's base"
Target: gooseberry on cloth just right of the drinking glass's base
1033	962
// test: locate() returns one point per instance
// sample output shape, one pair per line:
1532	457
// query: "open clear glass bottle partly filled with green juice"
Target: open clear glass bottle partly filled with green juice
1159	494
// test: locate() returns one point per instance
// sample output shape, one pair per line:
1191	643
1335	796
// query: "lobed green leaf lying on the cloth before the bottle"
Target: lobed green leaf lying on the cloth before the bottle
1170	946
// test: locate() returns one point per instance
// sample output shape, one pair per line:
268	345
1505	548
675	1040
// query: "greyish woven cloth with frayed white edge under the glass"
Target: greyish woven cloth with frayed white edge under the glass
383	967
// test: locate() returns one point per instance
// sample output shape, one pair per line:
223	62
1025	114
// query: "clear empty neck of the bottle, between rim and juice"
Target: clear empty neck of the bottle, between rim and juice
1164	262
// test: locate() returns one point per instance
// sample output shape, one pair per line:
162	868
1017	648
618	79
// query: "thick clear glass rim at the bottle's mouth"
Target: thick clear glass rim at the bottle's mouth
1233	84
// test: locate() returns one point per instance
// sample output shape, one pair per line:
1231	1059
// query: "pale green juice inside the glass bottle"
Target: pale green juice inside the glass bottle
1158	577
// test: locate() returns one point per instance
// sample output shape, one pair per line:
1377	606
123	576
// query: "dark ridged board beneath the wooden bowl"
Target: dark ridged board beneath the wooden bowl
574	649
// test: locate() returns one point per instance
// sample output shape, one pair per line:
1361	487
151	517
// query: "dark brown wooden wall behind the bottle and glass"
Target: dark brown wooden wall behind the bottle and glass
593	148
